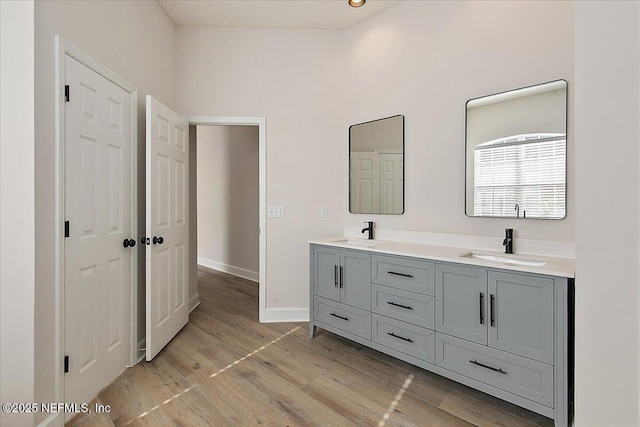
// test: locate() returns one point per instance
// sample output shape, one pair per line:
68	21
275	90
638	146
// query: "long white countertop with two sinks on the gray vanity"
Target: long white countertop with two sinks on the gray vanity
553	266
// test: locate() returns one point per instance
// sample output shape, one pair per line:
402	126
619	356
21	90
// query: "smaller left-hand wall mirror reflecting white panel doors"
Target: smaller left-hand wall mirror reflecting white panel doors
376	166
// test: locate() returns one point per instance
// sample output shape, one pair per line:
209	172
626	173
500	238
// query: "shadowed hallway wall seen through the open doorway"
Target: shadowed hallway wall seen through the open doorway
228	204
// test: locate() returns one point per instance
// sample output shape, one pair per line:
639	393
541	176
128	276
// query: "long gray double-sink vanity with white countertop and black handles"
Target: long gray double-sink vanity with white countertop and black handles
498	326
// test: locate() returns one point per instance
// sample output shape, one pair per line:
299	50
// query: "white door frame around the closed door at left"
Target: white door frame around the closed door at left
63	48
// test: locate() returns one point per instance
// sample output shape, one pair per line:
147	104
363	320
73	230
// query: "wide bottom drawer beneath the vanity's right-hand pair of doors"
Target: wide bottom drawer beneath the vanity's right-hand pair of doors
523	377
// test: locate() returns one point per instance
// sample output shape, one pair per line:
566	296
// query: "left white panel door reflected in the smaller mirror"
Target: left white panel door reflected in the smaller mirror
364	192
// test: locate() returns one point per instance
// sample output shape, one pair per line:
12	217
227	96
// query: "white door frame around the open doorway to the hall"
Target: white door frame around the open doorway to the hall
261	122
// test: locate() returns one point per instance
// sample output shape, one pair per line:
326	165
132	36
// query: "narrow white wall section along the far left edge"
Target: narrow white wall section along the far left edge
17	240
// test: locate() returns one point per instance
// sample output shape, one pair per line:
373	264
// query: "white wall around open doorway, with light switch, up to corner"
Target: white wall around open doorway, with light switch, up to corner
294	79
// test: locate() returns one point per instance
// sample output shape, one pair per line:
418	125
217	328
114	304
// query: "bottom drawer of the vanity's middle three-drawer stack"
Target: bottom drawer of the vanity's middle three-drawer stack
404	337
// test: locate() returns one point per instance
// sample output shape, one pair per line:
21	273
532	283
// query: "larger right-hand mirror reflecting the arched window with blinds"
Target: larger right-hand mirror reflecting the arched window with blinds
516	153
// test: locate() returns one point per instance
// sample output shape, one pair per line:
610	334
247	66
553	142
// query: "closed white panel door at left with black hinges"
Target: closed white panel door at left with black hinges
97	268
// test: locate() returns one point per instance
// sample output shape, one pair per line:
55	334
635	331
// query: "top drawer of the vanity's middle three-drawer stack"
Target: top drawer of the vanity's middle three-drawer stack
402	273
